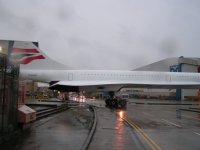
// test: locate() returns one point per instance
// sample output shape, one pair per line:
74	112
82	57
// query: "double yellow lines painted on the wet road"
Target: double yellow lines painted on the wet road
147	139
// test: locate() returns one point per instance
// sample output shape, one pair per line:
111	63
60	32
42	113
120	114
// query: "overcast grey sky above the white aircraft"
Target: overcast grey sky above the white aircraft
105	34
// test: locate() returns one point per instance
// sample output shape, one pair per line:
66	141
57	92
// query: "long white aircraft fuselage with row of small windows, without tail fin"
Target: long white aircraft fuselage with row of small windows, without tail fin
105	77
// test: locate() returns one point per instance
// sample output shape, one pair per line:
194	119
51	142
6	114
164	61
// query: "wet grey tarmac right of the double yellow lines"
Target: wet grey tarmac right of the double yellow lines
167	125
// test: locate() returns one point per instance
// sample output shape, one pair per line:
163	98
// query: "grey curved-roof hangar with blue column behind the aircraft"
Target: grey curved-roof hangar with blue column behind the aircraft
174	64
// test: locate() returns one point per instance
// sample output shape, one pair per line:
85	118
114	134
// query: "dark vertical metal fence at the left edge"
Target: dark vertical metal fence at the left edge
9	81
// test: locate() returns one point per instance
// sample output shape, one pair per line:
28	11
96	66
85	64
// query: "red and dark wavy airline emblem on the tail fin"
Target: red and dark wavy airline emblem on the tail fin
25	56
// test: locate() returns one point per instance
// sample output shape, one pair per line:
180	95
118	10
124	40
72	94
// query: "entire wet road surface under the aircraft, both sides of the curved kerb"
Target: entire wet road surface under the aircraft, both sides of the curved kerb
139	127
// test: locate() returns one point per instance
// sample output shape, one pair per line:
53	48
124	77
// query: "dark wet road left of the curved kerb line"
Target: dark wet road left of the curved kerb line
66	130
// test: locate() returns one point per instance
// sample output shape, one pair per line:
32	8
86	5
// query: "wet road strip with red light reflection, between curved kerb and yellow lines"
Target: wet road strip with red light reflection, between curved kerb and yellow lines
111	133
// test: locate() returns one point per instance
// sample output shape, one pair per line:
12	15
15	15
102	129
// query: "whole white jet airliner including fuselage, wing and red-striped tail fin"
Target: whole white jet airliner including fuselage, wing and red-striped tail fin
35	65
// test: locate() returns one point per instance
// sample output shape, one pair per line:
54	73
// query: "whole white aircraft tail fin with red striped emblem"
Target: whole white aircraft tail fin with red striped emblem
29	55
